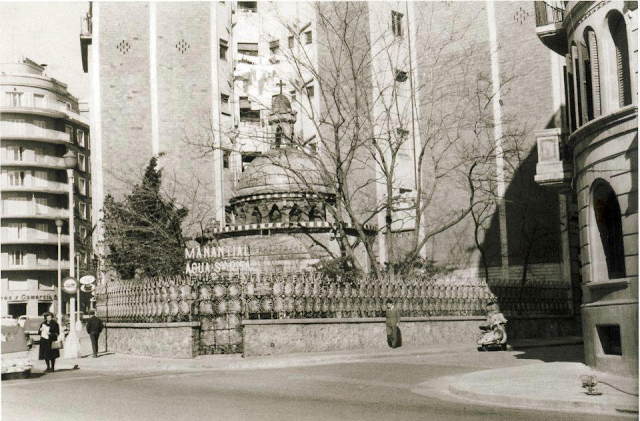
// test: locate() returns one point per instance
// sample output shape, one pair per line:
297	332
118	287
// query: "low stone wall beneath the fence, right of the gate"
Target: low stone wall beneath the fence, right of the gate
276	337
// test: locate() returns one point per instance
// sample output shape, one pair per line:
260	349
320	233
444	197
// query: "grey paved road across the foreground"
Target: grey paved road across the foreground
374	390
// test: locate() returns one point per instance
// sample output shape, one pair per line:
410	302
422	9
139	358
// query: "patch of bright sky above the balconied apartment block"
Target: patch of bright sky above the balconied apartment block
46	32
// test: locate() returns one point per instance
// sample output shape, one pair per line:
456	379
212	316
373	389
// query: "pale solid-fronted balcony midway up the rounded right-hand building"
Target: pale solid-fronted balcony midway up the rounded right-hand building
553	169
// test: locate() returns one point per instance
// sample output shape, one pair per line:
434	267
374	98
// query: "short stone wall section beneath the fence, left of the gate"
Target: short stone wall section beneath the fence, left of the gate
164	340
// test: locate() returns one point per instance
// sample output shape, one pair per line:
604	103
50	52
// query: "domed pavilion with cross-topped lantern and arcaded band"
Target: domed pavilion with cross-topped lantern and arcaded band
281	202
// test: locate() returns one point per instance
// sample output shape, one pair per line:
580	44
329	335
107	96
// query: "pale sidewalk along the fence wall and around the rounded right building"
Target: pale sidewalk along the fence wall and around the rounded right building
527	382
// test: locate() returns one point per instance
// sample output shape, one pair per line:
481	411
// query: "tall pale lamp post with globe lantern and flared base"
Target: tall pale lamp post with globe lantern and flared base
72	345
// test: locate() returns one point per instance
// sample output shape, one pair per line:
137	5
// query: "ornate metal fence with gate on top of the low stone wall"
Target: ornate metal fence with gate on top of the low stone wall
221	301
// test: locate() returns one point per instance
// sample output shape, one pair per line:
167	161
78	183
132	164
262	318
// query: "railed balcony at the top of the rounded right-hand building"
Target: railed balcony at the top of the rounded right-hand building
549	25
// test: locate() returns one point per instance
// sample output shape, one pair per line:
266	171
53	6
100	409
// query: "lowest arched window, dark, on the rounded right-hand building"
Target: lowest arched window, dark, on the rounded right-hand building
609	222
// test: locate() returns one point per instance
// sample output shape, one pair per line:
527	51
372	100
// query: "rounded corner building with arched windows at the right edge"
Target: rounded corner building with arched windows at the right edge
590	155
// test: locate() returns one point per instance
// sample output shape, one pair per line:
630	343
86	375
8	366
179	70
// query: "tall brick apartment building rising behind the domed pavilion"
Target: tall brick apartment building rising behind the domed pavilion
204	106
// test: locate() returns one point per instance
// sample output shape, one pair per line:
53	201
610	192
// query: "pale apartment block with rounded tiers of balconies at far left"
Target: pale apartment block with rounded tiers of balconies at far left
40	122
